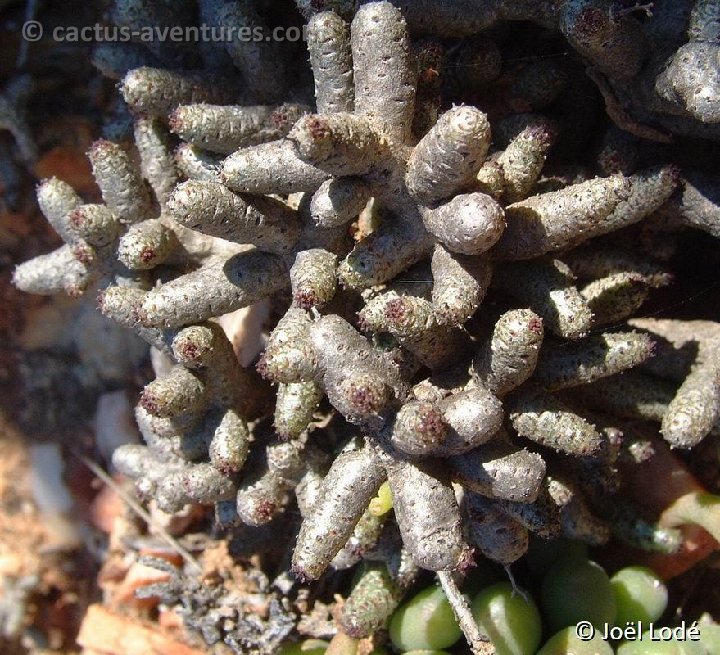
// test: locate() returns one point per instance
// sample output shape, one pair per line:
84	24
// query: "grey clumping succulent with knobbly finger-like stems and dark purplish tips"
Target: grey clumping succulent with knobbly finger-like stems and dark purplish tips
376	234
